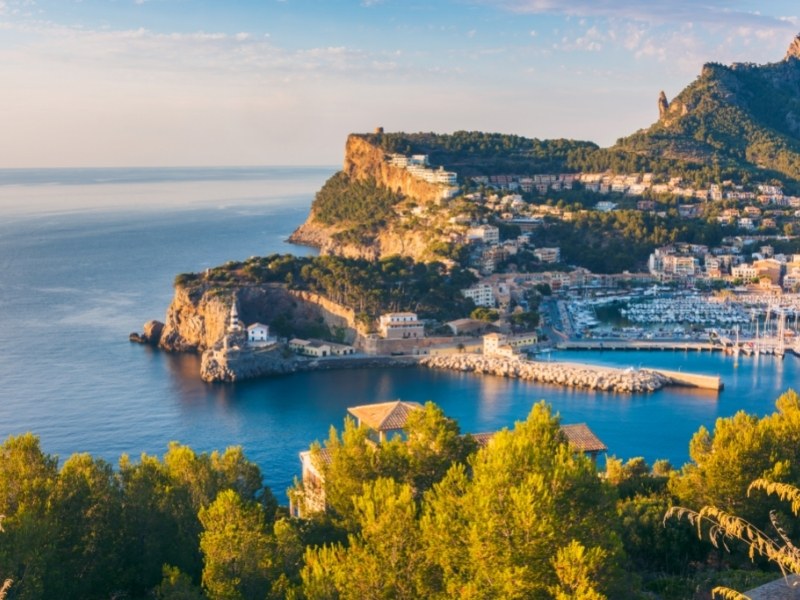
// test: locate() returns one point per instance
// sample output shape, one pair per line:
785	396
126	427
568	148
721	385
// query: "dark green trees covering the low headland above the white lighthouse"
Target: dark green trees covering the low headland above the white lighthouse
370	288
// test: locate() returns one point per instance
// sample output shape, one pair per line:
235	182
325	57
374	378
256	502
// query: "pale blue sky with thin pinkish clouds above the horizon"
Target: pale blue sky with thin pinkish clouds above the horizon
282	82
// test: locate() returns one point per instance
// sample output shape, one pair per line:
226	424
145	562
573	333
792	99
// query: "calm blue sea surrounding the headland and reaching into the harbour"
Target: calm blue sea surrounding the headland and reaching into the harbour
88	255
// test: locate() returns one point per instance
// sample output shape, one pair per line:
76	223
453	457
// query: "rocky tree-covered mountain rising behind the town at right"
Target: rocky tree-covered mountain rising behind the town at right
744	116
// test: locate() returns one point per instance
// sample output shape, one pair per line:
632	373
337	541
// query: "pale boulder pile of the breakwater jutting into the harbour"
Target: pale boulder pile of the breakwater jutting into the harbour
565	374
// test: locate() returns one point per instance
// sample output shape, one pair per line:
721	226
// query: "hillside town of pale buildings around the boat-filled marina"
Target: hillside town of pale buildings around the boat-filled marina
500	217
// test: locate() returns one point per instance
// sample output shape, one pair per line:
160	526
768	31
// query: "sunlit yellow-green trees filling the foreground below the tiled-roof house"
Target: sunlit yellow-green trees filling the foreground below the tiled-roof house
431	515
